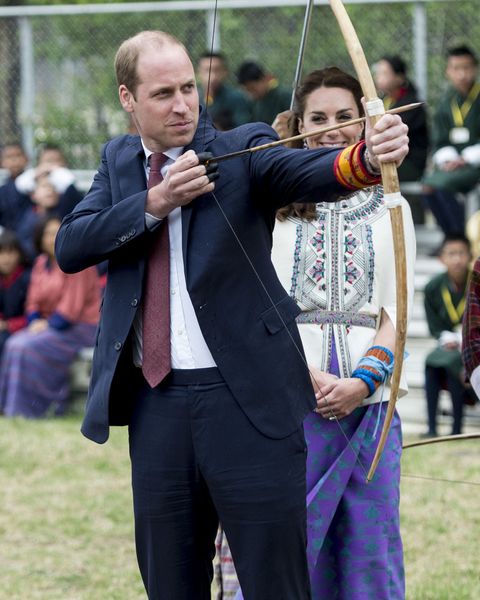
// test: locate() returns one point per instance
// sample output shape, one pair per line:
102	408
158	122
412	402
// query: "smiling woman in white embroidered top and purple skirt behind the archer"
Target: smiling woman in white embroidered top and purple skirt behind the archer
337	262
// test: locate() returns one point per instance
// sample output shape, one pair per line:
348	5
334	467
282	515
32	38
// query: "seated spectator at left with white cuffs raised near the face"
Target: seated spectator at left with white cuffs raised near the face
51	162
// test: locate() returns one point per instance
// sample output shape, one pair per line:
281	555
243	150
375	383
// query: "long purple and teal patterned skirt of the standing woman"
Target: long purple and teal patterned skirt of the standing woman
354	545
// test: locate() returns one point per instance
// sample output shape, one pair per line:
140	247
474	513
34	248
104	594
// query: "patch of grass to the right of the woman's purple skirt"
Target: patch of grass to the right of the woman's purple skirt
441	521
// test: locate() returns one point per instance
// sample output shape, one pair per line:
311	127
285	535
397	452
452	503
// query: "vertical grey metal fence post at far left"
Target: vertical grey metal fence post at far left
27	84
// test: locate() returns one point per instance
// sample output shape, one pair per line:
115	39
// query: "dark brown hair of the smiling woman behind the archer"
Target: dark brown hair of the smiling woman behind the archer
328	77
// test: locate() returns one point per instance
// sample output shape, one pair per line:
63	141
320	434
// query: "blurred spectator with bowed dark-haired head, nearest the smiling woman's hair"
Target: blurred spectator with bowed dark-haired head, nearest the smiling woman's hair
268	97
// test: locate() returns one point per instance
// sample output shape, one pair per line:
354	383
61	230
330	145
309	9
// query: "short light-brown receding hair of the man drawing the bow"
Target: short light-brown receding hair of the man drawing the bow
126	58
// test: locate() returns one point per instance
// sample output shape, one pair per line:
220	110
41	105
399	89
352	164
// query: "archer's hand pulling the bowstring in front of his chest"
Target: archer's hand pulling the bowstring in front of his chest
186	179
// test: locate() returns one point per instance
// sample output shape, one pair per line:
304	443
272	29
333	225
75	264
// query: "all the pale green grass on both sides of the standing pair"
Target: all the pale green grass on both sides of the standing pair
66	528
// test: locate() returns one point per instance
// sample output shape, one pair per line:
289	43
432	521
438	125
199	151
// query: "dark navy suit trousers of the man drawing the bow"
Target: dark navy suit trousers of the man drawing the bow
197	459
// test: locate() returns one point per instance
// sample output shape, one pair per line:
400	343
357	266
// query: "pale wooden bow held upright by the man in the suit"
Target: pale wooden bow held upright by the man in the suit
391	188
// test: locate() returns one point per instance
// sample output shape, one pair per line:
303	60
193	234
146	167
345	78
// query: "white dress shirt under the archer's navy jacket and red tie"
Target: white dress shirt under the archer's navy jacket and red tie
188	347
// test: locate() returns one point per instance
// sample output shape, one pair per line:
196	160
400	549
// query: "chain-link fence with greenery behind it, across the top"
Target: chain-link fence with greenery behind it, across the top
56	74
